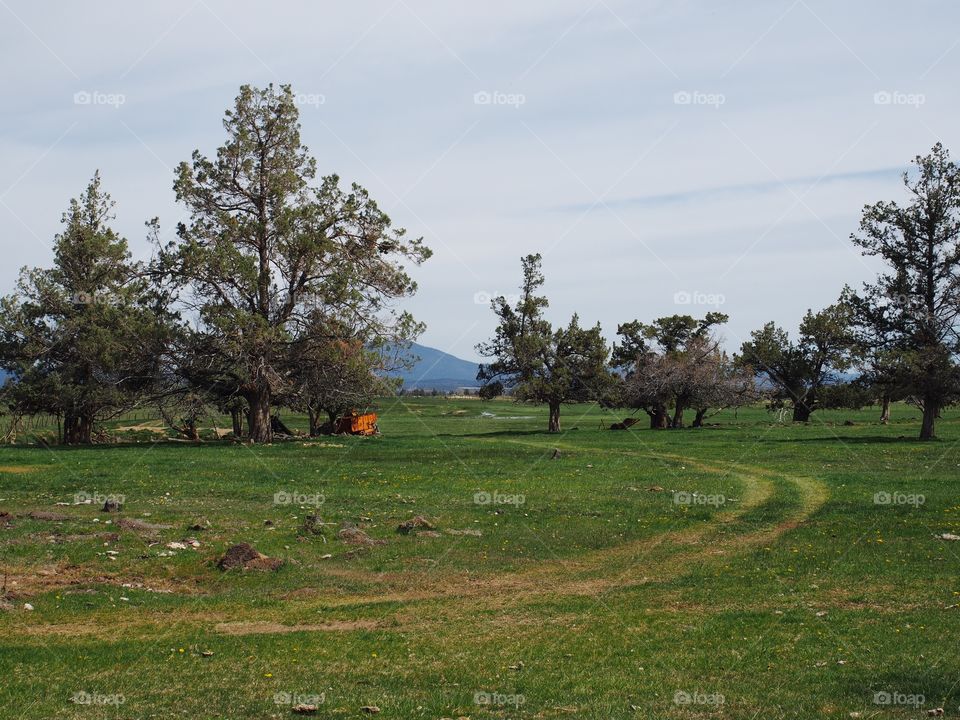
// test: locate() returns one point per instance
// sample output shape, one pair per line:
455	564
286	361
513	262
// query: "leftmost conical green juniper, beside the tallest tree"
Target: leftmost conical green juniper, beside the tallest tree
83	338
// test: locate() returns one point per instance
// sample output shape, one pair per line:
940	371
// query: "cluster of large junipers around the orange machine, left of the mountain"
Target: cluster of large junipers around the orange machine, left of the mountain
278	289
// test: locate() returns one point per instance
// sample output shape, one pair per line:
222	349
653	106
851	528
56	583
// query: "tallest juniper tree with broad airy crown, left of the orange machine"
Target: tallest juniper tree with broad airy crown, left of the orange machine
266	248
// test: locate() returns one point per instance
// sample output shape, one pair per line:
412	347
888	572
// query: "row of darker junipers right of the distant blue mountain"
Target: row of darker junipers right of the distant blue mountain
896	336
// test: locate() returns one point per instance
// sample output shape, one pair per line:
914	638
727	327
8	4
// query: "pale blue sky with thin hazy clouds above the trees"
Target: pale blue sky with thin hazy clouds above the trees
664	157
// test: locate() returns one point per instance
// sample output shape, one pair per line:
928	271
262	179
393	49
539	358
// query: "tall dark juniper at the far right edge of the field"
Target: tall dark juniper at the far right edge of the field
910	317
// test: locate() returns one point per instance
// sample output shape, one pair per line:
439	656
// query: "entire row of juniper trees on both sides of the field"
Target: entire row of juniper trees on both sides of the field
280	290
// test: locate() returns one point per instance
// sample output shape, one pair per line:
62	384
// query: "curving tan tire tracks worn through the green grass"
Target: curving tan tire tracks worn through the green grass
657	559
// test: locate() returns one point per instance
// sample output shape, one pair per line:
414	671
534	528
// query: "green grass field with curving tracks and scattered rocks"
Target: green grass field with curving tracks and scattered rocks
745	570
